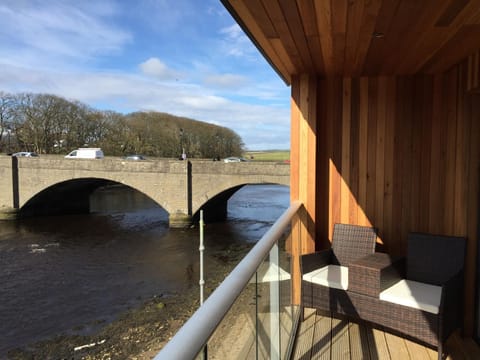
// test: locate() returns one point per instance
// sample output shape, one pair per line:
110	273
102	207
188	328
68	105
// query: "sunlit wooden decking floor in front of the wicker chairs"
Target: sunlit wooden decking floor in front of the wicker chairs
321	337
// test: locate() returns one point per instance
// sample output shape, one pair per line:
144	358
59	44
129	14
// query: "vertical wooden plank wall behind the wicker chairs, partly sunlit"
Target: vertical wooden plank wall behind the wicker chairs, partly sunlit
401	154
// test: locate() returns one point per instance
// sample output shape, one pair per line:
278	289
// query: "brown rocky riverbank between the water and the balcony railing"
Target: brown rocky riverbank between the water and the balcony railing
138	333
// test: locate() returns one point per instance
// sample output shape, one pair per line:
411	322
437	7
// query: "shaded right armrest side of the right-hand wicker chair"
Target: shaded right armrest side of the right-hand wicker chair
451	305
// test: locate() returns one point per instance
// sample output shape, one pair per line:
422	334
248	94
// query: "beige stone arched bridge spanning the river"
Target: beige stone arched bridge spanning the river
54	185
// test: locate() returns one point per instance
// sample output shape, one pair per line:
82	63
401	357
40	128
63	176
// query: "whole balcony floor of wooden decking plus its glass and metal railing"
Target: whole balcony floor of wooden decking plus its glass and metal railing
251	316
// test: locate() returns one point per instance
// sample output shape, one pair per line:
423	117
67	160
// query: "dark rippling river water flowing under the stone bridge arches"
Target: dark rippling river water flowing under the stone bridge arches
71	274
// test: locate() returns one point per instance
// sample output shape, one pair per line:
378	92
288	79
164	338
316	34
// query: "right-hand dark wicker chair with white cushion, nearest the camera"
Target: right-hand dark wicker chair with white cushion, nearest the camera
427	302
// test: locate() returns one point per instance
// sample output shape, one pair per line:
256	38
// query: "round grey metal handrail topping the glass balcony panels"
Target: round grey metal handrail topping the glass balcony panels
194	334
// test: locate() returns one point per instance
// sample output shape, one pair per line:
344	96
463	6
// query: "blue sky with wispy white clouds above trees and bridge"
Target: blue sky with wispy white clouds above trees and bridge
184	57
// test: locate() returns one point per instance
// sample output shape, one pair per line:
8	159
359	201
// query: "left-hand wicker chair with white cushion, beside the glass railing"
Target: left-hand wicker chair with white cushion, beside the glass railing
325	273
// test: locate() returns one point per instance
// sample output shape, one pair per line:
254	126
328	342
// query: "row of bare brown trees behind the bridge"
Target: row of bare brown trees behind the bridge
49	124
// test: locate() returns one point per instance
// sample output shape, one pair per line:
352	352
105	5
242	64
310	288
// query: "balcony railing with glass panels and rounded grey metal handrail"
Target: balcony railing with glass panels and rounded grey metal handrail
250	315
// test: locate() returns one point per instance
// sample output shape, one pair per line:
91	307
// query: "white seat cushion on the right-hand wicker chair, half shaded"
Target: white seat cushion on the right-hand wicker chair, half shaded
414	294
